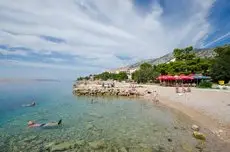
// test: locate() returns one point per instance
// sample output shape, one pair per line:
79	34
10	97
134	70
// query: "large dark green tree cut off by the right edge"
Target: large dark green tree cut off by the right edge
221	67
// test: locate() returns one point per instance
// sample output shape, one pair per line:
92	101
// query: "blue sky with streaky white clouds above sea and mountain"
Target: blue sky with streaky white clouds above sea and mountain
66	39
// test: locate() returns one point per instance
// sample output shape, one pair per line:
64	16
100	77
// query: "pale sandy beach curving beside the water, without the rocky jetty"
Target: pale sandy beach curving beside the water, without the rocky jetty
208	107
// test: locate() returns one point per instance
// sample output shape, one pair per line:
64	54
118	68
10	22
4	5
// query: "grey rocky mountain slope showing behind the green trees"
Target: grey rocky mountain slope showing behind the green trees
202	53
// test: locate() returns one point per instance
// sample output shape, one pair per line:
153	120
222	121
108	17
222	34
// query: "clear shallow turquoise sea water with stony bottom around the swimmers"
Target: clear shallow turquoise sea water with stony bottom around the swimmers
121	123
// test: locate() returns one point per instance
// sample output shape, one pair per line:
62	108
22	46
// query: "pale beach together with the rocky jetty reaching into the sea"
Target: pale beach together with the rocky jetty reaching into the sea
208	108
